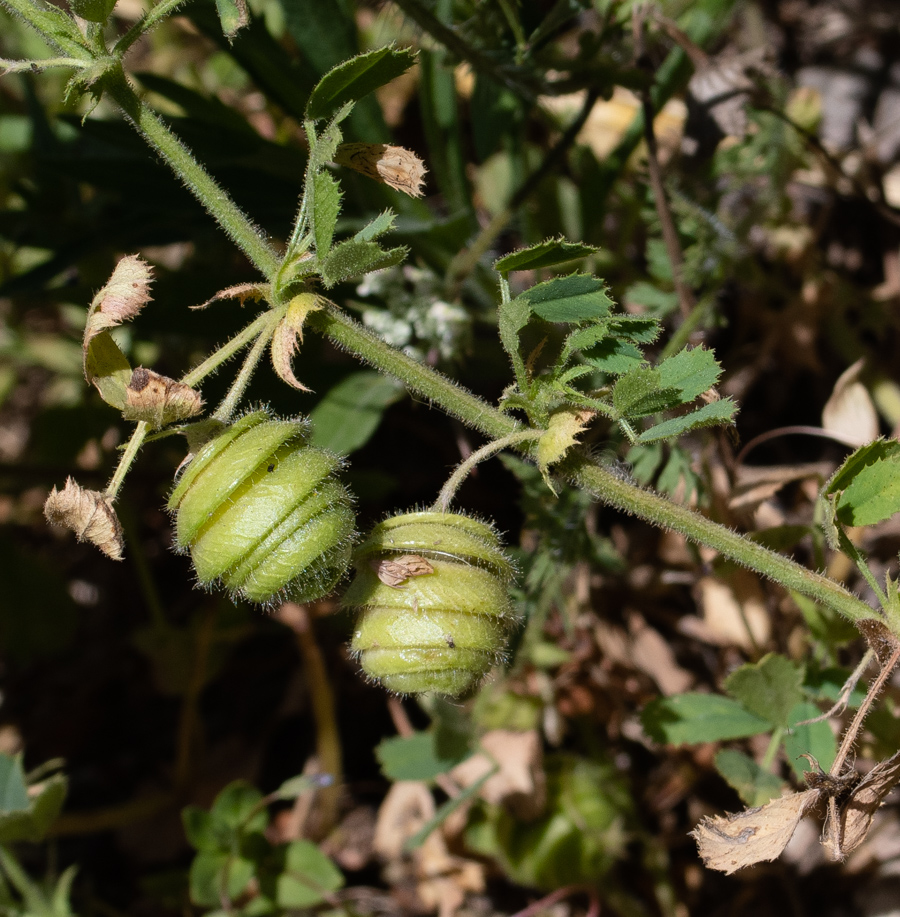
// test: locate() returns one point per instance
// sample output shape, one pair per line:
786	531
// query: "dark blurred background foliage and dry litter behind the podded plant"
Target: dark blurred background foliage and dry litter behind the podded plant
778	125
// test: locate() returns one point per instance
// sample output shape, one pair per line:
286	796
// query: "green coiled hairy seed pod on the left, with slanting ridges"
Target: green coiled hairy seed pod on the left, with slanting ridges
262	512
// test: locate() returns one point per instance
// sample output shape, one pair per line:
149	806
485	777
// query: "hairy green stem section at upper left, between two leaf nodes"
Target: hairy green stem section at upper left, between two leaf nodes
199	182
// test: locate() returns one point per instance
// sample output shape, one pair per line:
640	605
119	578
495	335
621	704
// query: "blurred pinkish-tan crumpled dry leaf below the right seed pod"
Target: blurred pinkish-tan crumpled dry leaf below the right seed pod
520	782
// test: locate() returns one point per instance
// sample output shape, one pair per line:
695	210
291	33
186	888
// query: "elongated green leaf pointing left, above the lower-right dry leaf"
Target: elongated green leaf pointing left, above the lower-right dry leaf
692	718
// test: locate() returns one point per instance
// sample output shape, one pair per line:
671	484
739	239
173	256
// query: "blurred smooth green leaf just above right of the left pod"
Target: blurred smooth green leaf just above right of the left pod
349	413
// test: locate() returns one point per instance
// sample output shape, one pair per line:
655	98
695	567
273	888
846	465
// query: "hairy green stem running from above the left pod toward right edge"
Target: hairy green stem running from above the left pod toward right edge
583	471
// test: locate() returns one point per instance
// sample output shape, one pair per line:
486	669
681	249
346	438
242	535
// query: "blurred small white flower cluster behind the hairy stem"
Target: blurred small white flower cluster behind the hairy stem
413	316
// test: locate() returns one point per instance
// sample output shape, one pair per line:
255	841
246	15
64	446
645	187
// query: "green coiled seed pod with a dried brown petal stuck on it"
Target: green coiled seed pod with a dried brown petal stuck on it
433	600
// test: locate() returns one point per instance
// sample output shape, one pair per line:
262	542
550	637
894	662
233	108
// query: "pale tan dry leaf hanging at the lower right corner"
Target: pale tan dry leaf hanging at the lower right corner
757	835
